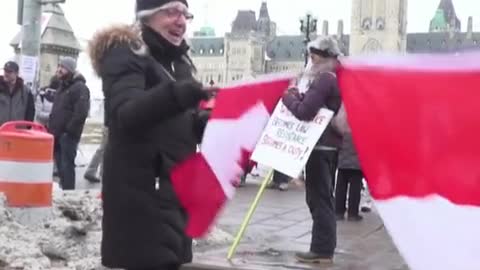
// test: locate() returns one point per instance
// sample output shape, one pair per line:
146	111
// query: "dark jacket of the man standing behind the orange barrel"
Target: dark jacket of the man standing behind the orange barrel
17	105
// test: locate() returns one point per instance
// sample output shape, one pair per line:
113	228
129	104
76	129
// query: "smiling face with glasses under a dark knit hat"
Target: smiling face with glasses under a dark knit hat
171	22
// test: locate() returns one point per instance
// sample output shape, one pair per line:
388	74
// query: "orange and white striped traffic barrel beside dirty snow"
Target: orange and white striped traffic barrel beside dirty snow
26	164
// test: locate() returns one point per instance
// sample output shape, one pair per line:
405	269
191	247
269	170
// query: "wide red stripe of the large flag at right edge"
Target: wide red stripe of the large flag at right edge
416	132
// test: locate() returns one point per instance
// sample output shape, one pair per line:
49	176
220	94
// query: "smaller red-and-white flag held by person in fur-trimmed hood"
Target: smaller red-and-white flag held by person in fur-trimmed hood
205	181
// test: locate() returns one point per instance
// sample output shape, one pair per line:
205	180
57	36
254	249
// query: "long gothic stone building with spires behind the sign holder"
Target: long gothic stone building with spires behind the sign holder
252	46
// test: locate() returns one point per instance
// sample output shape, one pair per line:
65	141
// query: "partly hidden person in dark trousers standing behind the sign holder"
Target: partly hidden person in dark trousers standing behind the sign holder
350	176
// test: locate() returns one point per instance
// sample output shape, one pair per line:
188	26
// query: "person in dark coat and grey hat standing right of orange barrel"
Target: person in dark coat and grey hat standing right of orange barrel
69	112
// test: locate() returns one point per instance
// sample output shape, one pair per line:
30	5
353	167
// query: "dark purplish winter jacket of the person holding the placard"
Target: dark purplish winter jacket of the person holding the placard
323	91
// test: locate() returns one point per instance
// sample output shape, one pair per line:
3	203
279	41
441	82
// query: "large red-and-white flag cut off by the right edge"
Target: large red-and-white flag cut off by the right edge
416	125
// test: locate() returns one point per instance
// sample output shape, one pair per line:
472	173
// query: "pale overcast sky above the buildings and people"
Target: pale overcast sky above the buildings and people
86	16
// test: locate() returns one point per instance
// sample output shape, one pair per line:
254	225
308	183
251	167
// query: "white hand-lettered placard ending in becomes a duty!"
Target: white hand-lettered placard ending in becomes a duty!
286	143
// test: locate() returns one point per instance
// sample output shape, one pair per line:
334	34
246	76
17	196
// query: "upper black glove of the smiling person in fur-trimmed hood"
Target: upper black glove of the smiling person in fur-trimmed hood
189	93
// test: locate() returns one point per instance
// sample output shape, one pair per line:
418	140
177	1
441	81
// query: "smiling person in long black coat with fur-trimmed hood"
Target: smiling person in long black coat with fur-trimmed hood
152	109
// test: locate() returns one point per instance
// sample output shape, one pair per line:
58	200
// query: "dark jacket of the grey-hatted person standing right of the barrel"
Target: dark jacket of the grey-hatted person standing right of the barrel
70	108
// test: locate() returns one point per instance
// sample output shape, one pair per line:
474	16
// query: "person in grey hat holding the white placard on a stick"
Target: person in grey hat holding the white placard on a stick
320	91
